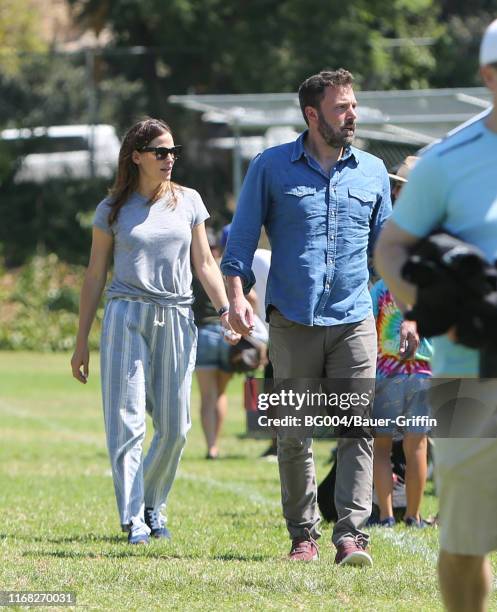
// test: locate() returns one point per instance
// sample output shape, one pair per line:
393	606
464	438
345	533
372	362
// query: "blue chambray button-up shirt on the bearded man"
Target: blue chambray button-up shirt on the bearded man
321	229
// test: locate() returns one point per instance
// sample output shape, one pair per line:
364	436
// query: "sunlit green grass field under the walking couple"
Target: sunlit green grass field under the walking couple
60	530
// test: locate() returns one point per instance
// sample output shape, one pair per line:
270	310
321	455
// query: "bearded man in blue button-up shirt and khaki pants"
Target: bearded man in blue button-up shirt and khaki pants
323	203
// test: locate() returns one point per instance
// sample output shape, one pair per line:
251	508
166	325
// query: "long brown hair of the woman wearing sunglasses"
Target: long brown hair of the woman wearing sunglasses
138	136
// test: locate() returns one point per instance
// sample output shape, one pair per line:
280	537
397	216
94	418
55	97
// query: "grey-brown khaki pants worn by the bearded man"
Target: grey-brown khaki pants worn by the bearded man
339	351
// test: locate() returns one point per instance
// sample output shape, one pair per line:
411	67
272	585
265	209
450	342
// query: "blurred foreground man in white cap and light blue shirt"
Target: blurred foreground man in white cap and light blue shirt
454	188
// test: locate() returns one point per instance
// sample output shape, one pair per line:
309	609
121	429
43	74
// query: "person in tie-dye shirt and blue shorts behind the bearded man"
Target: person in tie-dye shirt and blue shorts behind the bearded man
401	401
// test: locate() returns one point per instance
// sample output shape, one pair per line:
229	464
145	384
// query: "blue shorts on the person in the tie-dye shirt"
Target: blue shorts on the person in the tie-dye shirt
403	400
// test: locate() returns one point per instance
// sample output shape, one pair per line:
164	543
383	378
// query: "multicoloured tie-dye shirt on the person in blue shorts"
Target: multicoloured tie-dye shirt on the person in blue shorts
388	320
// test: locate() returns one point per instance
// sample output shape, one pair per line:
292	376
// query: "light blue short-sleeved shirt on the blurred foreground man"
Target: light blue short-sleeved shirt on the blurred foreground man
454	187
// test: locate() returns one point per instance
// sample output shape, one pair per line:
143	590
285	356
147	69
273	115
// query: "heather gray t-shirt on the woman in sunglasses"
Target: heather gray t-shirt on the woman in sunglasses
152	247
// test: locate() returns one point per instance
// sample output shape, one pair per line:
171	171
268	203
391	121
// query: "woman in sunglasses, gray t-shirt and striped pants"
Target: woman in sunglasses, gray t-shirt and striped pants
152	228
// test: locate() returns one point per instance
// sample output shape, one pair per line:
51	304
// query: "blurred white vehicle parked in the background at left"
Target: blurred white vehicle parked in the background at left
65	150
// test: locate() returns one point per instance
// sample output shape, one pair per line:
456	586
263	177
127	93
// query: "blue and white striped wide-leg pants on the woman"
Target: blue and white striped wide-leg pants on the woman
147	360
